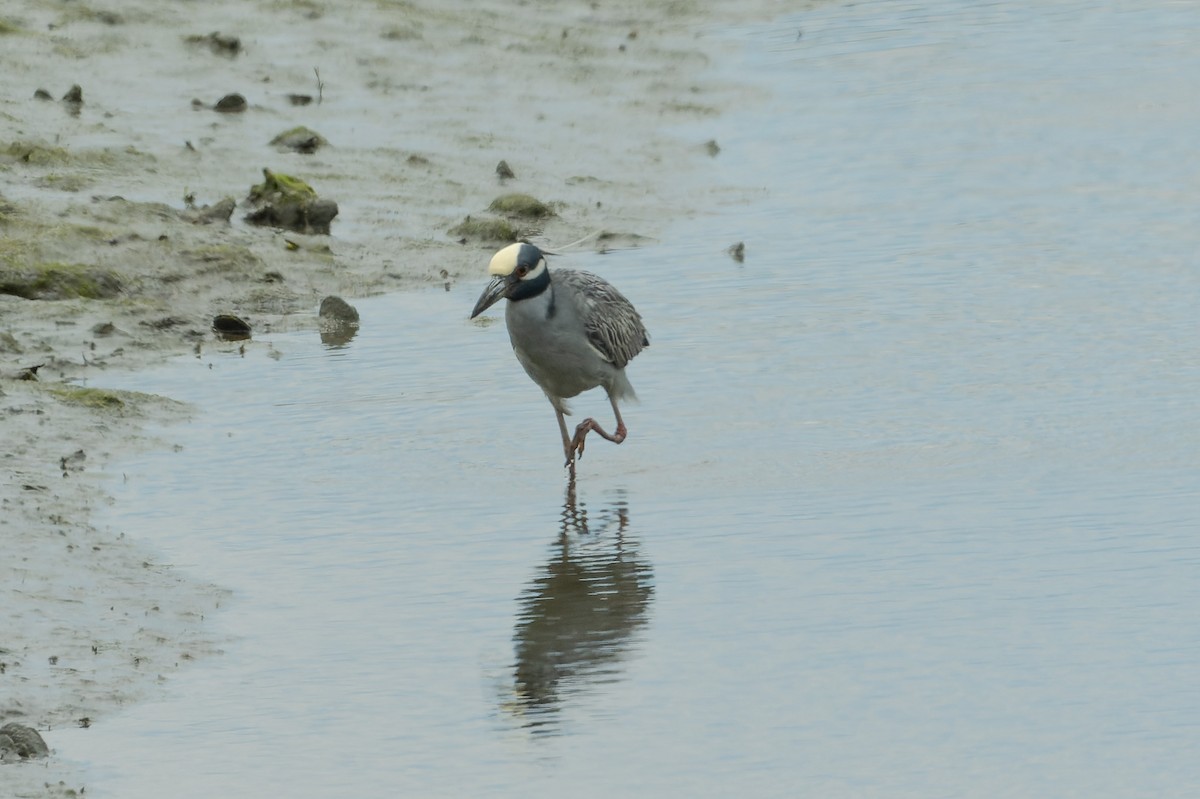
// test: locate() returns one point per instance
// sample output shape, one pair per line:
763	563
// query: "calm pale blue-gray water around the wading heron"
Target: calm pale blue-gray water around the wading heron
909	508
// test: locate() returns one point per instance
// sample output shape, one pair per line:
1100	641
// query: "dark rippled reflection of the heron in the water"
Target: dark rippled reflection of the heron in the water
580	615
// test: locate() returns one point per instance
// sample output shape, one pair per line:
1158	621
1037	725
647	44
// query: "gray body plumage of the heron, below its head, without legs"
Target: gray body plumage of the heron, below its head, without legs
577	335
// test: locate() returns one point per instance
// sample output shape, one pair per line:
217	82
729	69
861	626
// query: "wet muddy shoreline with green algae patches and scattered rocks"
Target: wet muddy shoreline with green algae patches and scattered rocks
116	253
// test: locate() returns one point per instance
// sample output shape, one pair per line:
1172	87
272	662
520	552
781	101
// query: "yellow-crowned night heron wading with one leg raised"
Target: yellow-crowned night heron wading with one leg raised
571	331
